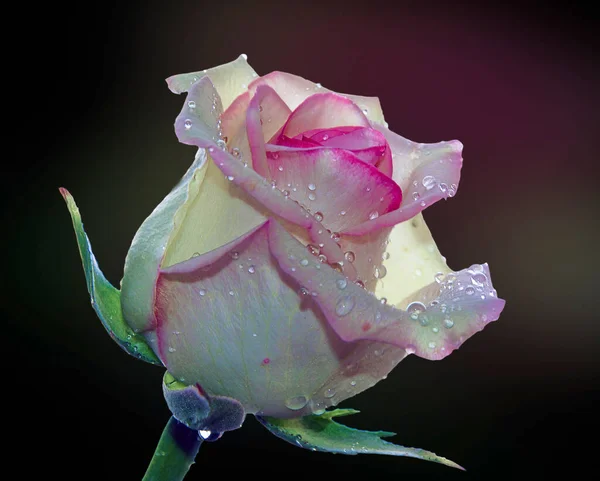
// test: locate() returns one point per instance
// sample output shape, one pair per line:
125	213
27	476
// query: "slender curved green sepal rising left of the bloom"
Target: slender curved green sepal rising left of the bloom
106	299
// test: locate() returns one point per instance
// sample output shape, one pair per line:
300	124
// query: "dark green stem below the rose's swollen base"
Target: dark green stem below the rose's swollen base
174	454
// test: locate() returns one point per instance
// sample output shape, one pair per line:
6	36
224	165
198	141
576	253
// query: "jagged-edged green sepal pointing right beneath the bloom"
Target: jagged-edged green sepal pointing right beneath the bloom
322	433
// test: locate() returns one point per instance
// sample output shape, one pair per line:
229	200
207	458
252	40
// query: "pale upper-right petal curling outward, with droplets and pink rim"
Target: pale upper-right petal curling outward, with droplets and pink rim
425	172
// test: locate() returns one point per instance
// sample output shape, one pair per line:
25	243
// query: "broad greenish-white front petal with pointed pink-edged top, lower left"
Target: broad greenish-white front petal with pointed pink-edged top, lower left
229	321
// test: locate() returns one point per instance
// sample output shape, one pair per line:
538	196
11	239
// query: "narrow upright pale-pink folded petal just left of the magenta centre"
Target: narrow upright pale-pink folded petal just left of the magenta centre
265	116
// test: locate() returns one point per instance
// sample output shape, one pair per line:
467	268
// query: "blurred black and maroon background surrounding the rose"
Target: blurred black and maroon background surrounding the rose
515	83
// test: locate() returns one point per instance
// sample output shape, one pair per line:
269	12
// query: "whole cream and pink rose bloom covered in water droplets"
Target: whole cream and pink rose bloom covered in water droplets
291	267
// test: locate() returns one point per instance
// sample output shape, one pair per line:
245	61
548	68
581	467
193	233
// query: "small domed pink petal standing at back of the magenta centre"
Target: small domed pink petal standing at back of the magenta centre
323	111
